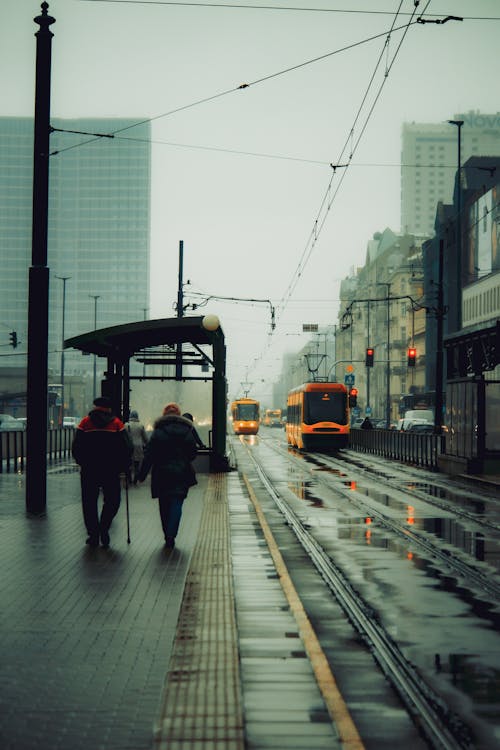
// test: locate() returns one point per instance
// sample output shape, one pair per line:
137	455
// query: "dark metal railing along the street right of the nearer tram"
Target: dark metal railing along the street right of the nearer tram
410	447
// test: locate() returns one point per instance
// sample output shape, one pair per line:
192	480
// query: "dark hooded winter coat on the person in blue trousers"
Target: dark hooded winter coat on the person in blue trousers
168	454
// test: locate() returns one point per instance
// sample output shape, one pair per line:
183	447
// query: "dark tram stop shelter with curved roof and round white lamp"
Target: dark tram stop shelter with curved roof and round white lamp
177	342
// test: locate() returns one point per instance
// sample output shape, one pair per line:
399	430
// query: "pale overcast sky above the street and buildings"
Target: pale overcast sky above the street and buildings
240	175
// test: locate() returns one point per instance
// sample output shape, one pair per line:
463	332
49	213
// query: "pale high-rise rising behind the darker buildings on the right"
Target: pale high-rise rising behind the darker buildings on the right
429	161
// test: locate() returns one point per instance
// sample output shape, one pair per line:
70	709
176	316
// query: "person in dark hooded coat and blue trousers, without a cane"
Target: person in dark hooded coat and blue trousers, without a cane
168	454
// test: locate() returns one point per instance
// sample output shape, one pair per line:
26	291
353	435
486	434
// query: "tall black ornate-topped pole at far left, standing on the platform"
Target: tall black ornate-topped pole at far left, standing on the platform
38	294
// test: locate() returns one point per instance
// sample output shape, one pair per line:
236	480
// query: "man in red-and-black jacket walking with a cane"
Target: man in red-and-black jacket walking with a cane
103	451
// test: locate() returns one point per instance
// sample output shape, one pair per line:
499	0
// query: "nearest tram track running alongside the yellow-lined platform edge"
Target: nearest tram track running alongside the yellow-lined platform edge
440	727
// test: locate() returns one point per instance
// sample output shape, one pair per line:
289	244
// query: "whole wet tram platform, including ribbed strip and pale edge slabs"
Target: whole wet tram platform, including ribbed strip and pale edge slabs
136	646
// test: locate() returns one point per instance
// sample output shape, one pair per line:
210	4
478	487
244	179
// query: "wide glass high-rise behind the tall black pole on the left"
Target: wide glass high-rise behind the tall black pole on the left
99	229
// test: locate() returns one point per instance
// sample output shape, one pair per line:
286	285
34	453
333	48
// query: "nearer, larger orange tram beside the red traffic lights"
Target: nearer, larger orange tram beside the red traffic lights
318	416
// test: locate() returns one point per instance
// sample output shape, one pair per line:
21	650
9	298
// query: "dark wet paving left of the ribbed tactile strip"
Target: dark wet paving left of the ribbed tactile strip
86	634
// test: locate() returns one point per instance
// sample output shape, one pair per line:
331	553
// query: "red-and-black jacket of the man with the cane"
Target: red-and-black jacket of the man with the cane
101	445
